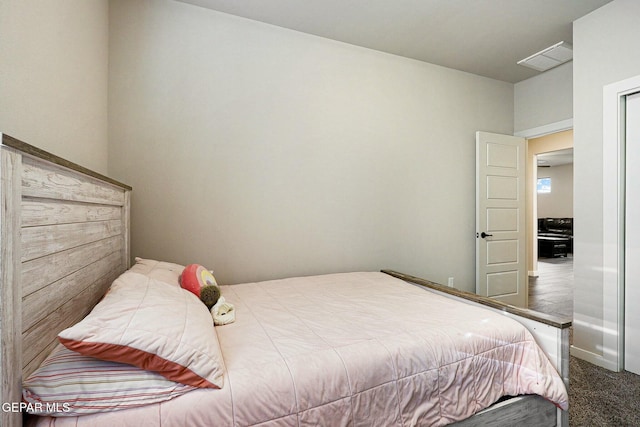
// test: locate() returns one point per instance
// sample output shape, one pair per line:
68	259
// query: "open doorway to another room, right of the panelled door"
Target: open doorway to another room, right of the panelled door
550	188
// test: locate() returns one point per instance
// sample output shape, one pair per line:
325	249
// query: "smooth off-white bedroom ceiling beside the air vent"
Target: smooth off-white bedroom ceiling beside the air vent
484	37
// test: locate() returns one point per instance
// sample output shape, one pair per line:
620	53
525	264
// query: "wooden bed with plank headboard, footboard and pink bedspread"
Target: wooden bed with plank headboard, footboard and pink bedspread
359	347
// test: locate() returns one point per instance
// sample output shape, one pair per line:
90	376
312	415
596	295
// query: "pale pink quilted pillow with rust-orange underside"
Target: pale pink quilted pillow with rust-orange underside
152	325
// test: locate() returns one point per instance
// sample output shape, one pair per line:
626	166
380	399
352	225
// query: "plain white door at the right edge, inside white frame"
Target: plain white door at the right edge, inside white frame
632	237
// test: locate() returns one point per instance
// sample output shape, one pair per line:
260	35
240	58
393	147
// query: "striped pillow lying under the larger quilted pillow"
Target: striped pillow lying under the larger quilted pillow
70	384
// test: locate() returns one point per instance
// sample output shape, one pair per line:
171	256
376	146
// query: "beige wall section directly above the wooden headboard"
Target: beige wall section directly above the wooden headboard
53	77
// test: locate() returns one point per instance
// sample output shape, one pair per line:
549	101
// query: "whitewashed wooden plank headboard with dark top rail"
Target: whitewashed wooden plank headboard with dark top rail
64	233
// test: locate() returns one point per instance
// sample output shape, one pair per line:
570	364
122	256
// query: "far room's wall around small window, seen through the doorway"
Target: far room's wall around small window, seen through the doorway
558	203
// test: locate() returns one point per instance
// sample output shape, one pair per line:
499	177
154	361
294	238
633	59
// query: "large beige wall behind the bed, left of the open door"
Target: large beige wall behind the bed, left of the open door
263	152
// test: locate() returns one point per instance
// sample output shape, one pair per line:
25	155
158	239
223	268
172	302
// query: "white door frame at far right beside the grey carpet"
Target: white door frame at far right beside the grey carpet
613	208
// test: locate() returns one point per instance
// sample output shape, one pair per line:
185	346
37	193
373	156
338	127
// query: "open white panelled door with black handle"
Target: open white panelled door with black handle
500	218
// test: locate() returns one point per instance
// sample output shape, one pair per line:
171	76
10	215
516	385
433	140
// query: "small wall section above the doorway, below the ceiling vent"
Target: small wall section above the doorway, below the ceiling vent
544	99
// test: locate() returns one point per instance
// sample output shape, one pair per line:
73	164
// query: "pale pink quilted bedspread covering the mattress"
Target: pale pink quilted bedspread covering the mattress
353	349
